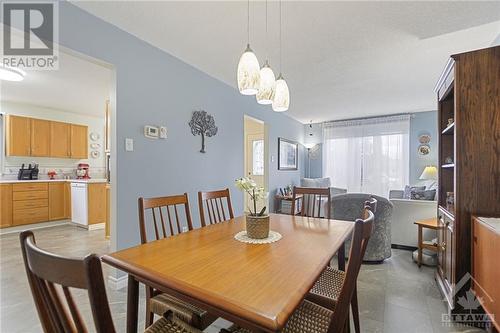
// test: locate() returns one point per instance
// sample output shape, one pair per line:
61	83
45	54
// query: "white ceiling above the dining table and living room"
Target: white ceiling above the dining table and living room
341	59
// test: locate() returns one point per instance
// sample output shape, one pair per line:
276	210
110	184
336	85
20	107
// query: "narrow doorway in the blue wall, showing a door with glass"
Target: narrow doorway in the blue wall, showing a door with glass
256	157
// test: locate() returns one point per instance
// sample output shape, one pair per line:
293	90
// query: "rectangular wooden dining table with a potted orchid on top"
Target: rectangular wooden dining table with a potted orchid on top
257	286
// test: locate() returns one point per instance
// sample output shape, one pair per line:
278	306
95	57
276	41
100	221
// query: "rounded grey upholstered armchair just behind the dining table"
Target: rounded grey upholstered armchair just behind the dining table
349	207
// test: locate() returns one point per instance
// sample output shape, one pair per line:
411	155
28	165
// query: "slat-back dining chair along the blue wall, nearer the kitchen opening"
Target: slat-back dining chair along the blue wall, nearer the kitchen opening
160	211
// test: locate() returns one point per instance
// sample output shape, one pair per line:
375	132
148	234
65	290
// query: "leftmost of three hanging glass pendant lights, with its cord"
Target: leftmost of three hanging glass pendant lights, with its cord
248	68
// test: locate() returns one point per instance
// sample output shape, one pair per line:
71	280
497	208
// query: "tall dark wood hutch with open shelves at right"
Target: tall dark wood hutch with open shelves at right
468	94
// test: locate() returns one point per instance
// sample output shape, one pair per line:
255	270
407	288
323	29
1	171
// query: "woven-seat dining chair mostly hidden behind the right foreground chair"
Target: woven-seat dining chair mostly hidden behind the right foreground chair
326	290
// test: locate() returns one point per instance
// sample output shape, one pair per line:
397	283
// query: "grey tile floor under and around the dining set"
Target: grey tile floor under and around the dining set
393	297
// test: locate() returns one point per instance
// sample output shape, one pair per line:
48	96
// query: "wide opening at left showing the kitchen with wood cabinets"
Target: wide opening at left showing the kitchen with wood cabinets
57	138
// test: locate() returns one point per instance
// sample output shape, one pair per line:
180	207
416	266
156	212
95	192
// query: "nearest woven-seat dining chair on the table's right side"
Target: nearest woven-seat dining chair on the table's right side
310	317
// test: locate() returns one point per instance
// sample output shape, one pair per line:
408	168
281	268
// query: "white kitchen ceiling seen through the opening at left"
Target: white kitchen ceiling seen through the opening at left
78	86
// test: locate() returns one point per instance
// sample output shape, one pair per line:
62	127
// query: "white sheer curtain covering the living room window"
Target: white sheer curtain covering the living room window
368	155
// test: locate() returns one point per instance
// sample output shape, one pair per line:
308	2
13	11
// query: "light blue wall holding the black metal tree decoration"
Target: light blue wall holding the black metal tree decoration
154	87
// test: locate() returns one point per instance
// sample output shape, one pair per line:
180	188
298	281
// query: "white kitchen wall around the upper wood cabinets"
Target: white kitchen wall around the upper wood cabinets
61	165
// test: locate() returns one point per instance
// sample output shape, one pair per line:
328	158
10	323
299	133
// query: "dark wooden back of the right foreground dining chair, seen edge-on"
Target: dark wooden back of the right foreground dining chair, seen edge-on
361	235
